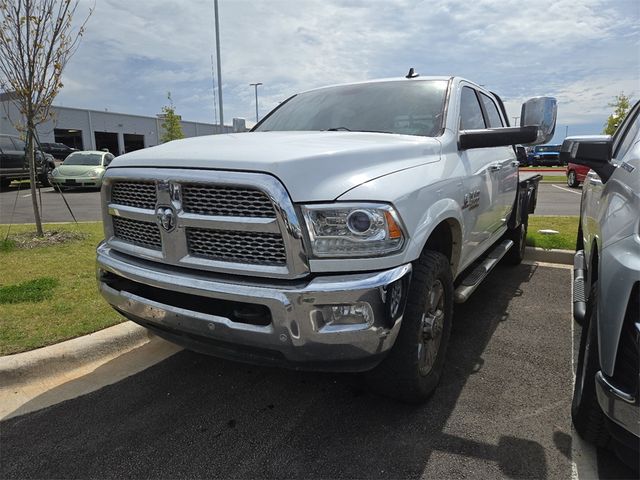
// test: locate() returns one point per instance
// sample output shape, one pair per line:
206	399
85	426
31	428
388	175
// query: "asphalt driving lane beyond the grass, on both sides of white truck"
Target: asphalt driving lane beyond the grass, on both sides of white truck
15	205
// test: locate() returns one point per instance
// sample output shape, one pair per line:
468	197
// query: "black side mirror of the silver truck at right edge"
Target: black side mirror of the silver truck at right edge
593	151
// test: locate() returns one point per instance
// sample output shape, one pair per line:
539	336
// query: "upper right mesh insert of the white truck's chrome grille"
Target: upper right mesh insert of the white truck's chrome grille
226	201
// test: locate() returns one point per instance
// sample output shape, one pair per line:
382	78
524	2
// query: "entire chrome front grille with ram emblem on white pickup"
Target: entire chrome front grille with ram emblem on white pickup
232	222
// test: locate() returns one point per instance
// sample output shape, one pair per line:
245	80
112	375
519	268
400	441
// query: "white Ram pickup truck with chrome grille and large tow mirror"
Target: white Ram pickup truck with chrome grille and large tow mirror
336	235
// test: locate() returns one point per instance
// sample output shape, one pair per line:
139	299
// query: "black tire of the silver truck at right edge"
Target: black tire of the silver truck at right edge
587	416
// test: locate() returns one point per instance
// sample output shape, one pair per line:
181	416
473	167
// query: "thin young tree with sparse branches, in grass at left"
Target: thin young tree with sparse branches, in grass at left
36	42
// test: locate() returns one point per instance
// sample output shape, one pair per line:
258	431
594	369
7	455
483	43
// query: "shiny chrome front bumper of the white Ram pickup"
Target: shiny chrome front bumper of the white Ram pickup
333	323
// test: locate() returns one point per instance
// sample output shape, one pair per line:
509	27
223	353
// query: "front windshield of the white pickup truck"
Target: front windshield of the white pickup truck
411	108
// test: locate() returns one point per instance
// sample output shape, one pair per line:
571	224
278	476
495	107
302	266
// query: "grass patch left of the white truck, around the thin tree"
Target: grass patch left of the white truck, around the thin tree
48	293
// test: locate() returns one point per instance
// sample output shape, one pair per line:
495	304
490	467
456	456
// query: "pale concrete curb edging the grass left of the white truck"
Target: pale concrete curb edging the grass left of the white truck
67	356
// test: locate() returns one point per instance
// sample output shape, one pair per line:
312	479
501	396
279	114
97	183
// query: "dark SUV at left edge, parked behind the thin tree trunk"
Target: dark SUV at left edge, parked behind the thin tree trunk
13	163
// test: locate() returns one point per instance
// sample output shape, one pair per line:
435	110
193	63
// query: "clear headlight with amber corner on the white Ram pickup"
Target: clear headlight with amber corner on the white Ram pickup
353	230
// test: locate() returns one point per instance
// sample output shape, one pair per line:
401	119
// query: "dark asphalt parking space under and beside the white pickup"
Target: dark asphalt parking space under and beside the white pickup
501	411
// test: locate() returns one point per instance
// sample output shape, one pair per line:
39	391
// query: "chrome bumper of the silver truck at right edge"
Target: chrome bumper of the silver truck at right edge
620	407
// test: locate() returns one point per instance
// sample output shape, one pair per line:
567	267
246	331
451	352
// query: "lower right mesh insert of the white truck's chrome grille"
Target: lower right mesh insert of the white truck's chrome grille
237	246
